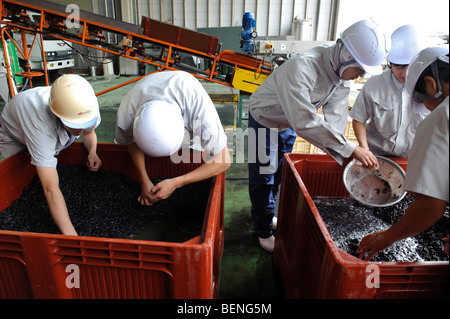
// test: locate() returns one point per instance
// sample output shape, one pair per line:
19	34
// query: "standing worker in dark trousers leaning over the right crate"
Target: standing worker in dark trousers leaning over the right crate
287	101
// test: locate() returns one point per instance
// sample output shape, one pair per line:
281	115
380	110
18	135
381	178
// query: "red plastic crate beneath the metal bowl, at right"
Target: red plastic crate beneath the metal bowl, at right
311	265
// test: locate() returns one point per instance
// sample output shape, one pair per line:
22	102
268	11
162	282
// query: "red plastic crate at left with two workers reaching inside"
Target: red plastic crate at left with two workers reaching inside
33	265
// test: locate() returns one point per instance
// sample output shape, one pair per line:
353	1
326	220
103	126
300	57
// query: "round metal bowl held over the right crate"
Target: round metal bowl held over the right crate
375	187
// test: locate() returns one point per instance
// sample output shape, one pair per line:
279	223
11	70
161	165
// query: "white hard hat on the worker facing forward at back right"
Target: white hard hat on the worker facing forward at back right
406	44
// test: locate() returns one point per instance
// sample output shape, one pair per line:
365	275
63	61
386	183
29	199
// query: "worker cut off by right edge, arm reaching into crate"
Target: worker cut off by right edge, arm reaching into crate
427	177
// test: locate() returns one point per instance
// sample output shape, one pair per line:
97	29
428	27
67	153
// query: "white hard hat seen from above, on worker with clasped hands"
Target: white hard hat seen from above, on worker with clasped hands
158	128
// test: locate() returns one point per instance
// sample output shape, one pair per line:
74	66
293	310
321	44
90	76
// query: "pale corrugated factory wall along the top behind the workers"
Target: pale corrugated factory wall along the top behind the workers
274	17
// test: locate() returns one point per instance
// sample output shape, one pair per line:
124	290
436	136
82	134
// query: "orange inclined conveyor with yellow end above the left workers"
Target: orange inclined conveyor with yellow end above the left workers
167	43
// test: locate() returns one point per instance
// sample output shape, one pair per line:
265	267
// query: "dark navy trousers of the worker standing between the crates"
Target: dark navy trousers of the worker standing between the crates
263	187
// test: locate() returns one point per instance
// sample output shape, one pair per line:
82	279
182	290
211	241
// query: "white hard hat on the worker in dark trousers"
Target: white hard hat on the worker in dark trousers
368	44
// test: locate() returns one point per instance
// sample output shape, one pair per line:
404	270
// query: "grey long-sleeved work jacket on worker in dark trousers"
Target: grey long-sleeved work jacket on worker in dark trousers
290	96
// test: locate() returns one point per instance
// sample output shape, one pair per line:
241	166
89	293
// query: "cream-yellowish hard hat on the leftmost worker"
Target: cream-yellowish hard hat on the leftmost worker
73	100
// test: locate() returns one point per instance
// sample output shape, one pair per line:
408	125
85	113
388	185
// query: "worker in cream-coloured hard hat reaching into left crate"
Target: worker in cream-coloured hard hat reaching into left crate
46	120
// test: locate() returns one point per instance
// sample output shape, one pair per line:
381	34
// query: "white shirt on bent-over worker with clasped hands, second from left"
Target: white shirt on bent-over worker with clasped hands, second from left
201	120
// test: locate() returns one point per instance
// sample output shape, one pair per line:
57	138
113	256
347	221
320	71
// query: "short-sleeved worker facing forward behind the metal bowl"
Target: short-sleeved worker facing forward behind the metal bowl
383	121
